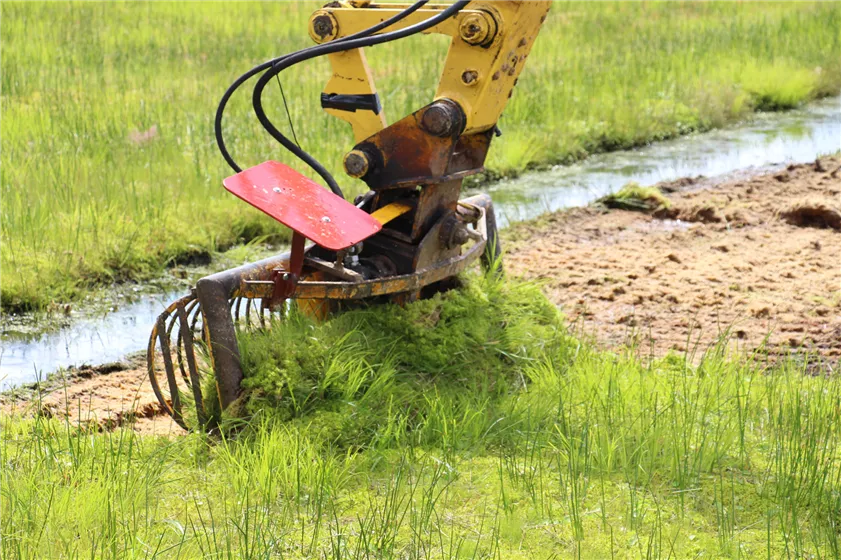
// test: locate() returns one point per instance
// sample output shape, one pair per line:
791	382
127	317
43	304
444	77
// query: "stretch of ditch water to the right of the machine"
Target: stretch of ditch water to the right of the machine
774	138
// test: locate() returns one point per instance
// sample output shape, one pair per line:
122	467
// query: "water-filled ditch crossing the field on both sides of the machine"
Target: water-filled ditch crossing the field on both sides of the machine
796	136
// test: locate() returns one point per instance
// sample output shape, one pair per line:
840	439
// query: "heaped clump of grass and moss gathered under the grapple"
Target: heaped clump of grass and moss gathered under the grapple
359	375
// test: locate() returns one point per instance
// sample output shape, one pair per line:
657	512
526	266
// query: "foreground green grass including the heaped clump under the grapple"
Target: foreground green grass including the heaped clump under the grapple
377	436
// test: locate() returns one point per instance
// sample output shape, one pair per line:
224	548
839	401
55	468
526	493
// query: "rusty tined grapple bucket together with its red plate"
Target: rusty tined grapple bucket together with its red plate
340	253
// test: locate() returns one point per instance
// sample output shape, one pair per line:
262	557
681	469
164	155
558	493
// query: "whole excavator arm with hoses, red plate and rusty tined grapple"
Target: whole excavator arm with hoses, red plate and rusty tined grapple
402	240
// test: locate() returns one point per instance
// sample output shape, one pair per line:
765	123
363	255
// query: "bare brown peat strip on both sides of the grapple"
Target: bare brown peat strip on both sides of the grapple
758	258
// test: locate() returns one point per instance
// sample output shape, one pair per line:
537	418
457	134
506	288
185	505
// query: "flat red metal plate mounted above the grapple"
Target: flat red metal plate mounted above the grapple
302	205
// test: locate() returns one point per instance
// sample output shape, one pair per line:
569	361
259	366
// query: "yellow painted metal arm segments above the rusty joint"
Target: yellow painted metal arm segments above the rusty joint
491	40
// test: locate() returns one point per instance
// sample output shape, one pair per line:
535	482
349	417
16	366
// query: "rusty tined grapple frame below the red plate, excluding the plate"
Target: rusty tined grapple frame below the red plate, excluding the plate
193	354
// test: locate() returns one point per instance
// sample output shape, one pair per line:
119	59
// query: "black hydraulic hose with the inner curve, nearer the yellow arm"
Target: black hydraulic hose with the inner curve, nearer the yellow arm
329	48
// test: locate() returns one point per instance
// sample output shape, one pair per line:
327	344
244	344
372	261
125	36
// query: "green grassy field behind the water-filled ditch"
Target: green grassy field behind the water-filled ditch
108	170
